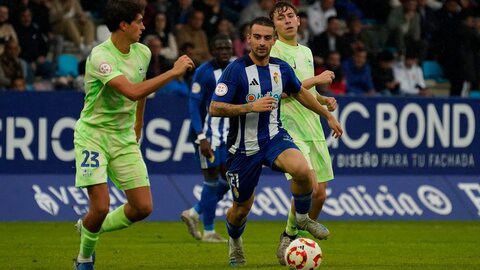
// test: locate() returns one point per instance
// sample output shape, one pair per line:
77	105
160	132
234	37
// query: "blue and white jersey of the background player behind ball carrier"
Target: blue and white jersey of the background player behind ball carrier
203	85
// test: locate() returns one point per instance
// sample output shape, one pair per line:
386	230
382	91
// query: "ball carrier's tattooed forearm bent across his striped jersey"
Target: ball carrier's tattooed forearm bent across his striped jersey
224	109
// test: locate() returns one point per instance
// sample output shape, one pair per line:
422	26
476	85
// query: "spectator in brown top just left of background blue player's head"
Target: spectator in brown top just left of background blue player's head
193	33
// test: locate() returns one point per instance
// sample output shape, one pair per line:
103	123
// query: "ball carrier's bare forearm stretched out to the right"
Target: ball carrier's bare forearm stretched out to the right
310	102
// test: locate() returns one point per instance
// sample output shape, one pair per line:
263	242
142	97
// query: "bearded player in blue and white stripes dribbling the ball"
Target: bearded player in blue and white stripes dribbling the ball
249	92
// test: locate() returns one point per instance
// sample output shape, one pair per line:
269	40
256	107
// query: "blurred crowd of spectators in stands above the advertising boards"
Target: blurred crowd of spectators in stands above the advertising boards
375	47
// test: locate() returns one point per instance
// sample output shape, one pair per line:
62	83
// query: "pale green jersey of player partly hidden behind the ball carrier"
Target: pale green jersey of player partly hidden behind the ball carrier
301	123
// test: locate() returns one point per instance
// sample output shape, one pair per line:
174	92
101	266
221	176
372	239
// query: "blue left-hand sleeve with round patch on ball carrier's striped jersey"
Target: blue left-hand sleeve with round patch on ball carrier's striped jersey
227	85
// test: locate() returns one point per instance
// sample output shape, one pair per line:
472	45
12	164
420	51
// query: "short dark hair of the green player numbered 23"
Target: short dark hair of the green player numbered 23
117	11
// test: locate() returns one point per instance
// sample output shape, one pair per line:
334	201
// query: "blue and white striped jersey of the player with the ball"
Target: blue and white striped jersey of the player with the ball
242	82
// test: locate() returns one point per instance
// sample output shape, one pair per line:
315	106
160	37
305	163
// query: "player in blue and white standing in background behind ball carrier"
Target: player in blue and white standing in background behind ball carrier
211	138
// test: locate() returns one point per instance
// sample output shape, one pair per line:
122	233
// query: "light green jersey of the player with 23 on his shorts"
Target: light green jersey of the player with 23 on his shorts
105	108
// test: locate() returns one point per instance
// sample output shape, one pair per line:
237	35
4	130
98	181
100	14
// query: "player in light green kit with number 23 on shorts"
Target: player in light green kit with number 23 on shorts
107	133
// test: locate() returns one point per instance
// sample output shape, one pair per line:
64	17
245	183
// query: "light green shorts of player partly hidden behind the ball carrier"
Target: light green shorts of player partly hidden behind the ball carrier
318	158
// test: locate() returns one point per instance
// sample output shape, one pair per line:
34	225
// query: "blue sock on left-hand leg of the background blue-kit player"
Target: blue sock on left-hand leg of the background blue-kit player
208	202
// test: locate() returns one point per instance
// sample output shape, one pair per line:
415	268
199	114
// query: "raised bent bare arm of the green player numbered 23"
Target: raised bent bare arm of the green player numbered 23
140	90
